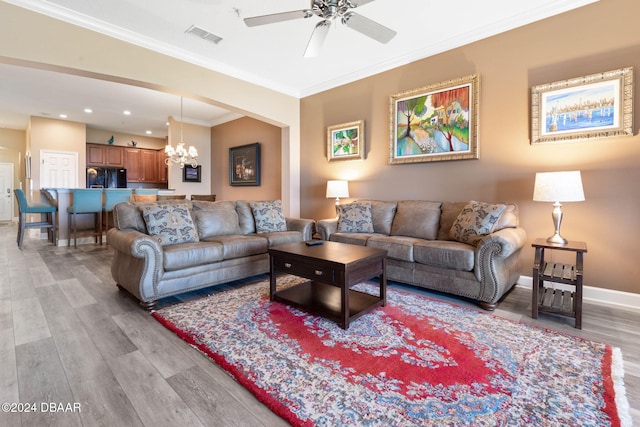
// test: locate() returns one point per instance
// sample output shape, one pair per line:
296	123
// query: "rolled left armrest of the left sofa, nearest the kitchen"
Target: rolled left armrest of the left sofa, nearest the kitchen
137	263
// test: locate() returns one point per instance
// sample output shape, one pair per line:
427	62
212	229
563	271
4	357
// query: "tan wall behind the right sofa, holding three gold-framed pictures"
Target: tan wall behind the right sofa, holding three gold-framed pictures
592	39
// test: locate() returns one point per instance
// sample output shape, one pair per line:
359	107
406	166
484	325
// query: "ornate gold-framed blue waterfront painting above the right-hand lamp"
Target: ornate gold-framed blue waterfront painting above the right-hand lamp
595	106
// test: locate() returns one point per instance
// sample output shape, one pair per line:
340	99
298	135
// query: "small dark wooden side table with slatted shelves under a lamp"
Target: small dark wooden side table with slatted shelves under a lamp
558	301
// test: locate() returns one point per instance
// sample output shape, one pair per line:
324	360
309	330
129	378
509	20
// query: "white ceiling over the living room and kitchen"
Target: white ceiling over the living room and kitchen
269	55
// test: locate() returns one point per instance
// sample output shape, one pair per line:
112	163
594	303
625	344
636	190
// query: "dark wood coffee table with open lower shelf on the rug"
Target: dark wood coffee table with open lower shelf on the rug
333	268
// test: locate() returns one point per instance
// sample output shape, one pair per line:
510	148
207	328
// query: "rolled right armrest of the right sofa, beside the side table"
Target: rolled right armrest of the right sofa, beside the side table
497	262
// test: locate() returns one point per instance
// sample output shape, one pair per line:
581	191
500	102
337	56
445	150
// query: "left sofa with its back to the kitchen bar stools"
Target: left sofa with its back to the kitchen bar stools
155	259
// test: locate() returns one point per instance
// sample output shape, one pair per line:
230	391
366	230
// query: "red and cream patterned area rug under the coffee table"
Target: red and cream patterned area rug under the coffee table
415	362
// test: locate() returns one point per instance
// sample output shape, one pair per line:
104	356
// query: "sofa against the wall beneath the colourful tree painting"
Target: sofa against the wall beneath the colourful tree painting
423	250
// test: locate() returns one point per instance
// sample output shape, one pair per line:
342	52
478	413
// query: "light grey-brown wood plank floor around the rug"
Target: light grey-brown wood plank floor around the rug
68	336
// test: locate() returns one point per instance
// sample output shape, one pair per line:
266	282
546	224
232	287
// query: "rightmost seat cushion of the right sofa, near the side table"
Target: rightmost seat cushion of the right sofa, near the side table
445	254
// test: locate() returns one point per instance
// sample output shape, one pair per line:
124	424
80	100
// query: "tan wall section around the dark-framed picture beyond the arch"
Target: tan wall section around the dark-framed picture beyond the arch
241	132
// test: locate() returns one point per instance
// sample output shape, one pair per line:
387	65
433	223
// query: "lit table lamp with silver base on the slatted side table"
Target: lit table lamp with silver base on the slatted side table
558	187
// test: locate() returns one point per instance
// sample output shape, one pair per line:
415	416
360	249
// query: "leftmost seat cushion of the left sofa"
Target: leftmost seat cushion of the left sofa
177	257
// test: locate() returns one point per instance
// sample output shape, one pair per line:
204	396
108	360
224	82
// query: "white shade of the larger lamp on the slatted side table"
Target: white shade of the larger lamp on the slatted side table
558	187
